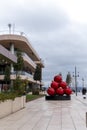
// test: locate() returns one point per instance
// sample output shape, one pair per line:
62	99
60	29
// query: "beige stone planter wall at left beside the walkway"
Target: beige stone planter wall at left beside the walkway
11	106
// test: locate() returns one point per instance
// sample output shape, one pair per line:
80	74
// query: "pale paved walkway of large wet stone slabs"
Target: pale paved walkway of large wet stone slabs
49	115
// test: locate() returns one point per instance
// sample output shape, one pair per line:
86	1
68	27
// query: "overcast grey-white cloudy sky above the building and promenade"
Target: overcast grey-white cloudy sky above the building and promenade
57	29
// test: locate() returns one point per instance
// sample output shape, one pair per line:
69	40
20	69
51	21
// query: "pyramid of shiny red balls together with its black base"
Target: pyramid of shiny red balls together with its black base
58	89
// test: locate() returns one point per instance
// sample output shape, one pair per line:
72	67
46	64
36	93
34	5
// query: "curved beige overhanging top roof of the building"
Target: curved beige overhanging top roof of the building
20	42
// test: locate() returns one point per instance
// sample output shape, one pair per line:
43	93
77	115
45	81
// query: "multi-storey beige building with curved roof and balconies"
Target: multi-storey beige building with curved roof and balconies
9	45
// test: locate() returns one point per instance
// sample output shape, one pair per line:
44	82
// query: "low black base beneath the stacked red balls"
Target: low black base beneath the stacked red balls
58	97
